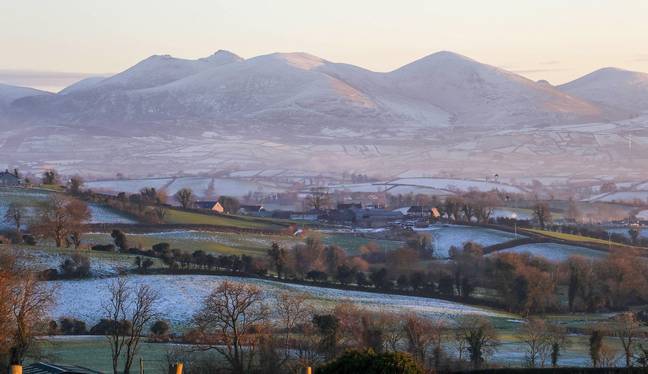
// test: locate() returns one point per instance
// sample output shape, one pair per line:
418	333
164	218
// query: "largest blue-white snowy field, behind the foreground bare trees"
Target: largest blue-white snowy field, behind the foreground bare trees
181	296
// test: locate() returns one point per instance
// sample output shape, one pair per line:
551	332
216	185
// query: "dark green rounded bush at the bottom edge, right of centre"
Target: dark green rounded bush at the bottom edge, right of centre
369	362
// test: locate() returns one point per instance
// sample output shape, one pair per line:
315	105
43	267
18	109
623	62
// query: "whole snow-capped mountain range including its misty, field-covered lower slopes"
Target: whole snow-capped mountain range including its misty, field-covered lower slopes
444	112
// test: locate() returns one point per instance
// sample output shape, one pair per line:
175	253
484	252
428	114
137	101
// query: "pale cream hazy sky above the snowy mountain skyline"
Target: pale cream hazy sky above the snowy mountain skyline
557	40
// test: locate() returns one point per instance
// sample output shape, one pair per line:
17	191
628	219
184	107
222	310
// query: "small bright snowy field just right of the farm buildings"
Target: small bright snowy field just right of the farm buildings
445	236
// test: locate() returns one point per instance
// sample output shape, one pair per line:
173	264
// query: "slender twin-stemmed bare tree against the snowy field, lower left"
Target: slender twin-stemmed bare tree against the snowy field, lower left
129	312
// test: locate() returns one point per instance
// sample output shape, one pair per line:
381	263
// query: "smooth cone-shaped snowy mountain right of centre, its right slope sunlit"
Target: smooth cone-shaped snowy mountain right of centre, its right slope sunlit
476	93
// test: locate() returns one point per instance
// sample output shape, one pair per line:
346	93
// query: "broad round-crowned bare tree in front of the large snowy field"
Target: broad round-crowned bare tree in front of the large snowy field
228	320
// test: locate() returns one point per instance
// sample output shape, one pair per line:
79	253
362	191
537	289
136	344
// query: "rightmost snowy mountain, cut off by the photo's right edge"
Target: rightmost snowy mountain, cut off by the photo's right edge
612	88
